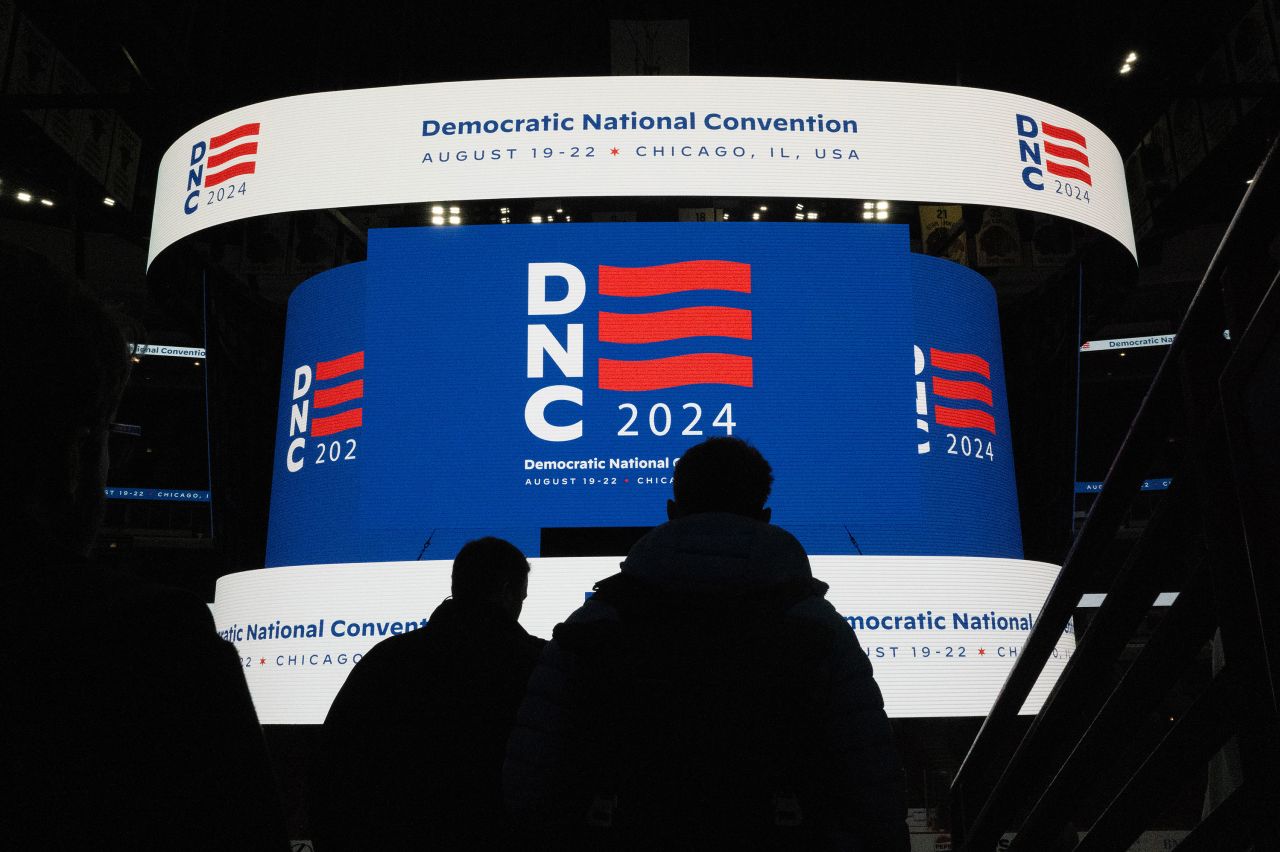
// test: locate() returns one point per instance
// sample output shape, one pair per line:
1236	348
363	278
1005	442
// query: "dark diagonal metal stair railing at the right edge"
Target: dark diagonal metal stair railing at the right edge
1217	534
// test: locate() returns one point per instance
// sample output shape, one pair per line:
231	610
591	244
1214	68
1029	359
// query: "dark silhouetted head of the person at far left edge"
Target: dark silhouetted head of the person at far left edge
66	363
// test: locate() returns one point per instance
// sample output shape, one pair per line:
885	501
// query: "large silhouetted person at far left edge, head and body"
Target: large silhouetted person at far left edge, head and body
127	722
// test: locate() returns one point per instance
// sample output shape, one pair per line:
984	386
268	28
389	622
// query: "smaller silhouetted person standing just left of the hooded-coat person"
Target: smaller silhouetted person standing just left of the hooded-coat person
414	743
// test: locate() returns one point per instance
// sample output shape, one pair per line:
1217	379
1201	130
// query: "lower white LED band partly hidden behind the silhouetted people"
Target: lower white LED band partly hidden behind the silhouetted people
943	634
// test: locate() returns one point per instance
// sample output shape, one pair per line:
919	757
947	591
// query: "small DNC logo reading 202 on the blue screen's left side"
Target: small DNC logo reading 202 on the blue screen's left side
340	390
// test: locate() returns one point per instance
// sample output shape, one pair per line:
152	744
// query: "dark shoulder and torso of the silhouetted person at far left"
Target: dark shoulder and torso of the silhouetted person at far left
131	718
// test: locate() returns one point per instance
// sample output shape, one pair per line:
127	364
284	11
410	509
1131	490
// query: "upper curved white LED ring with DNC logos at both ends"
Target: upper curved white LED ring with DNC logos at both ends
641	136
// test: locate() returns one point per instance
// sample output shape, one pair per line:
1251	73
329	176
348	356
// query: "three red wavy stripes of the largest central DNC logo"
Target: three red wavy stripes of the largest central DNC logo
702	368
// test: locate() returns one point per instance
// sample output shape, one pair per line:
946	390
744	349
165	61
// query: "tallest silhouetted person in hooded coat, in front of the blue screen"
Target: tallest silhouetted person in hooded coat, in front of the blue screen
708	697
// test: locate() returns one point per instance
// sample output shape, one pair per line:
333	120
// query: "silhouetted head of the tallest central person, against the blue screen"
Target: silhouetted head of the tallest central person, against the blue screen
723	475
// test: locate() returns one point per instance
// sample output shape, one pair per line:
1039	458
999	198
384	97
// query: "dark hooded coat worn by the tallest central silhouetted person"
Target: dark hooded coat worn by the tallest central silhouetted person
732	562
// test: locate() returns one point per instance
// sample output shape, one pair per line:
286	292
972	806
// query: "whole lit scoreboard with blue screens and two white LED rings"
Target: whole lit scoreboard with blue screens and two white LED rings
510	379
